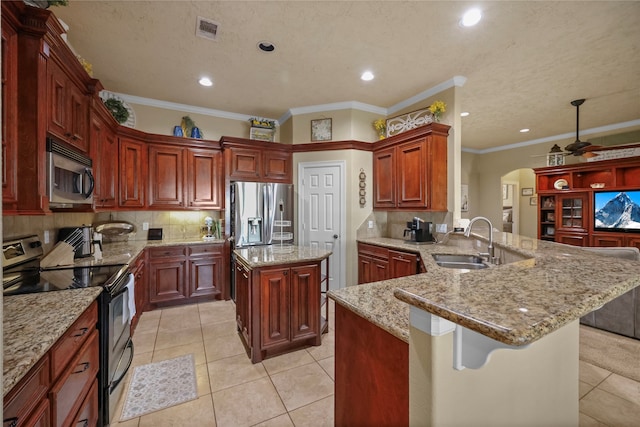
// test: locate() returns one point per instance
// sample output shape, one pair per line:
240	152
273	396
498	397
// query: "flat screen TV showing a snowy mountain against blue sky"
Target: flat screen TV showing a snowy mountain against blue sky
617	211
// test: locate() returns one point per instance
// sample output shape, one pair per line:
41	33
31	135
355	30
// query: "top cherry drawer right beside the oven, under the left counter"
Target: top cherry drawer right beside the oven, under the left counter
67	346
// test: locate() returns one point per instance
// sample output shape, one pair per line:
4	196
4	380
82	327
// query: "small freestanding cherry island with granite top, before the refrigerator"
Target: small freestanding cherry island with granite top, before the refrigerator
278	298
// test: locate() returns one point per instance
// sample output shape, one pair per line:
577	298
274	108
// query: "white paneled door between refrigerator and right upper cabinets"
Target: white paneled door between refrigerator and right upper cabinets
321	213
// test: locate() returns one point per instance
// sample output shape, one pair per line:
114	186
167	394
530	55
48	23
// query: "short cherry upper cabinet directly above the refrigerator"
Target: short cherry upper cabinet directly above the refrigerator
250	160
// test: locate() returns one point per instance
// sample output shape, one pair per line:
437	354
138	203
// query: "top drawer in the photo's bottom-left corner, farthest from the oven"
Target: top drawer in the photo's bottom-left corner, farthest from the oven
23	398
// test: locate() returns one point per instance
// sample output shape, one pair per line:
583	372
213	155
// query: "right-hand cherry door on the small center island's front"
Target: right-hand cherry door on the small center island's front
305	302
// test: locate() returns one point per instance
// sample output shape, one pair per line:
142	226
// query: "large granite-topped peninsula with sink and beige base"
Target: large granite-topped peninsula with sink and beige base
454	319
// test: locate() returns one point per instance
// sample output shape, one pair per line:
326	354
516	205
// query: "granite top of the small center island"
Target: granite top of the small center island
262	256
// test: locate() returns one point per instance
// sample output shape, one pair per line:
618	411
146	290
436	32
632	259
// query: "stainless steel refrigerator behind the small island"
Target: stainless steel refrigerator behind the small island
261	213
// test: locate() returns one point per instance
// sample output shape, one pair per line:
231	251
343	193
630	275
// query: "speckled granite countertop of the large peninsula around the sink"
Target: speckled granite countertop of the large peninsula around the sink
546	287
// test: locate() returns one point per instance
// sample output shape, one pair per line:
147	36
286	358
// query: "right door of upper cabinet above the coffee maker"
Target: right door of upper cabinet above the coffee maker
411	175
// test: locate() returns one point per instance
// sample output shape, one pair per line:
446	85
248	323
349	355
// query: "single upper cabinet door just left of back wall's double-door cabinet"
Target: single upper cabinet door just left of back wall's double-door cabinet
132	173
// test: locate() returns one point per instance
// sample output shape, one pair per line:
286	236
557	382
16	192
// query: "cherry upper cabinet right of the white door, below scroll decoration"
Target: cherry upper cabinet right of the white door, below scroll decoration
410	170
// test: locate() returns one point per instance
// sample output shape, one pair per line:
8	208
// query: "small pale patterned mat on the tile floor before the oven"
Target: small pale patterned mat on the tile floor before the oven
160	385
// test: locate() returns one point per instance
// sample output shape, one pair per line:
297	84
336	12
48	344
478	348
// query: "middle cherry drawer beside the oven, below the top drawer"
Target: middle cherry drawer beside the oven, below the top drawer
68	394
